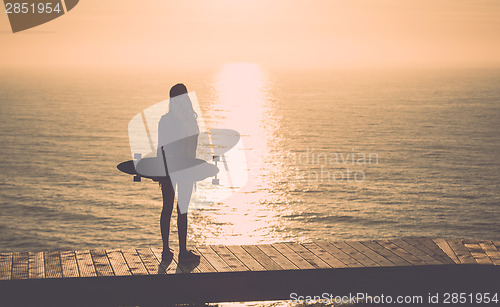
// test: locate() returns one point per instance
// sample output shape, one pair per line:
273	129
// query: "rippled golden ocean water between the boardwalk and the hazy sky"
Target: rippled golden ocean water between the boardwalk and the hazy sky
331	155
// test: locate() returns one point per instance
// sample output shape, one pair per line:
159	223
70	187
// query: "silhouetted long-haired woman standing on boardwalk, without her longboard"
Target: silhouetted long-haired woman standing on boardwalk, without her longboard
178	138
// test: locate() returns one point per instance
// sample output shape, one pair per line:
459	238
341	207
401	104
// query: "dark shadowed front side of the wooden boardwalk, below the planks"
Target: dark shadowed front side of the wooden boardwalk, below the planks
244	286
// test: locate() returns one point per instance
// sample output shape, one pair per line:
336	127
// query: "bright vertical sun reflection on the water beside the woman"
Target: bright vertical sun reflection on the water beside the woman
243	101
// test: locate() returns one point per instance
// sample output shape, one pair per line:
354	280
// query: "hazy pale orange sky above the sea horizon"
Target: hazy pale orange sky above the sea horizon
281	33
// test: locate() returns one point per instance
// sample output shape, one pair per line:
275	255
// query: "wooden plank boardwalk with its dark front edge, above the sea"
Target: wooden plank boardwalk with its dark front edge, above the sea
249	272
